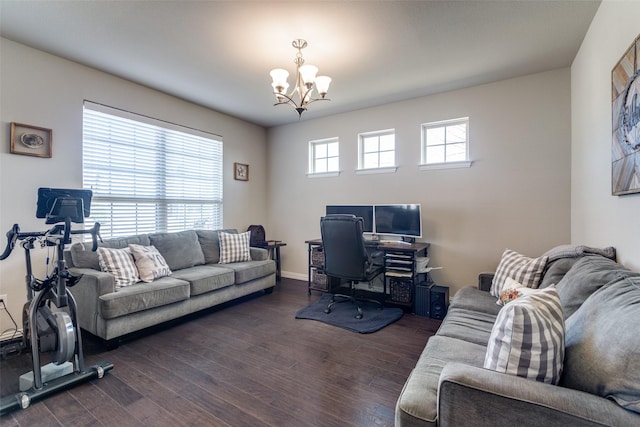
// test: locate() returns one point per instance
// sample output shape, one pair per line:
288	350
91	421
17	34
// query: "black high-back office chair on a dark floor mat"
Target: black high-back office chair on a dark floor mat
346	258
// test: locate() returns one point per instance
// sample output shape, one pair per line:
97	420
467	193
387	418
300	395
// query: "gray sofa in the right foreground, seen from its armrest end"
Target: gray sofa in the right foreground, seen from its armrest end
600	382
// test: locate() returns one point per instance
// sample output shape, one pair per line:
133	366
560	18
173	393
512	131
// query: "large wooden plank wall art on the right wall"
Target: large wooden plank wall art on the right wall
625	111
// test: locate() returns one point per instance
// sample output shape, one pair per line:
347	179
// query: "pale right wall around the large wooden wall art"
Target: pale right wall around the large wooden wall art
597	217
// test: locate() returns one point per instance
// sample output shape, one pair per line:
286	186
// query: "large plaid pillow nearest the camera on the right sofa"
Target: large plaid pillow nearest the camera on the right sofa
527	339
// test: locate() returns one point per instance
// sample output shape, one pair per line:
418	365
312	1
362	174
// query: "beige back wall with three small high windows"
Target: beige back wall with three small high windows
516	194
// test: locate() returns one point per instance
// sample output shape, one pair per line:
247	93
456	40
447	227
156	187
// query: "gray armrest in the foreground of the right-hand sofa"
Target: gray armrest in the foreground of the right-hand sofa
472	396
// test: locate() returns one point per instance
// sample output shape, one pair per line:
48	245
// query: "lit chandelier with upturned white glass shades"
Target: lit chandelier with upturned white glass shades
302	93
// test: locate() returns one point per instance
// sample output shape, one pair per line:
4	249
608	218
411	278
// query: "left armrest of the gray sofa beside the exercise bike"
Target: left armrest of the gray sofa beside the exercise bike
87	294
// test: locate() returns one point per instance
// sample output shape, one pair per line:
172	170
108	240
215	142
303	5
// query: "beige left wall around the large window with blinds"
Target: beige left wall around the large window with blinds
48	91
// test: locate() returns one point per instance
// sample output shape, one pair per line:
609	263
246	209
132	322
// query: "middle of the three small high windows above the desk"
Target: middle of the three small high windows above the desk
377	149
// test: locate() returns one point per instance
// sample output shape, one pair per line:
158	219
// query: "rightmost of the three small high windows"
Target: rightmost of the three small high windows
446	142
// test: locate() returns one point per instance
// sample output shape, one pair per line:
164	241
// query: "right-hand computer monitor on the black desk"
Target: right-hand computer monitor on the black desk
398	220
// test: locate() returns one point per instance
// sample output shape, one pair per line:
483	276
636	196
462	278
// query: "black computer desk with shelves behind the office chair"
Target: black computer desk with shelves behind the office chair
400	272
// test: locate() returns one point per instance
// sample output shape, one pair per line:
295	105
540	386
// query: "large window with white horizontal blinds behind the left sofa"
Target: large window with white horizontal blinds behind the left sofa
149	176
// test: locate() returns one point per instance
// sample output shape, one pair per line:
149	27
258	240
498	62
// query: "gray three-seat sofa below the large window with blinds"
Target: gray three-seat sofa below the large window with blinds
197	282
